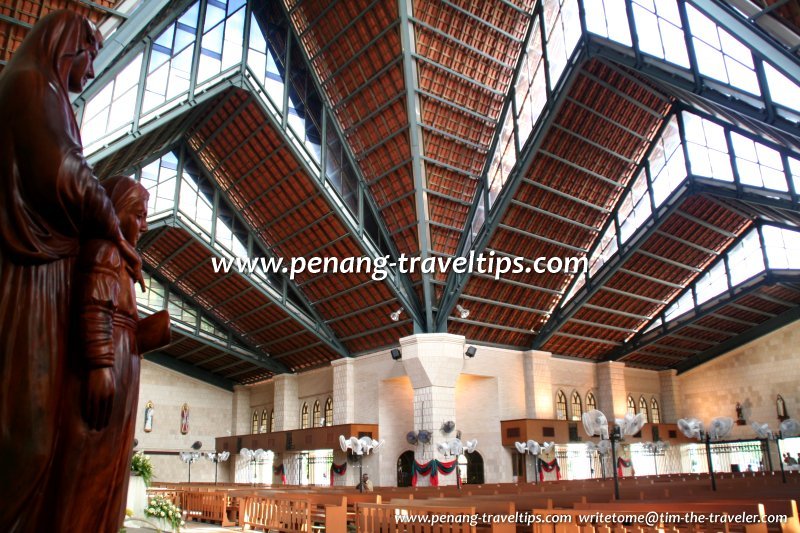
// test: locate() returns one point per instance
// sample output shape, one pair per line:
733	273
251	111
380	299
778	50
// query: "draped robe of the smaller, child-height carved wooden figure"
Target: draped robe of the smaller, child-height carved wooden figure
99	469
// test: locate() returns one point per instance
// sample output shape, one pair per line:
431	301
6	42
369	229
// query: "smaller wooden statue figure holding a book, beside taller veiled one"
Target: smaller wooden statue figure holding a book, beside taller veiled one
99	403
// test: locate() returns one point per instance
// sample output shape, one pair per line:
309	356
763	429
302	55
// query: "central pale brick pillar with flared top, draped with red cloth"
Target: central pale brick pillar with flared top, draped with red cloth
433	362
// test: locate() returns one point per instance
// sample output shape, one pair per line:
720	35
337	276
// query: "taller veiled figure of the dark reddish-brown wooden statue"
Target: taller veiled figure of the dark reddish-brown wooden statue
49	202
